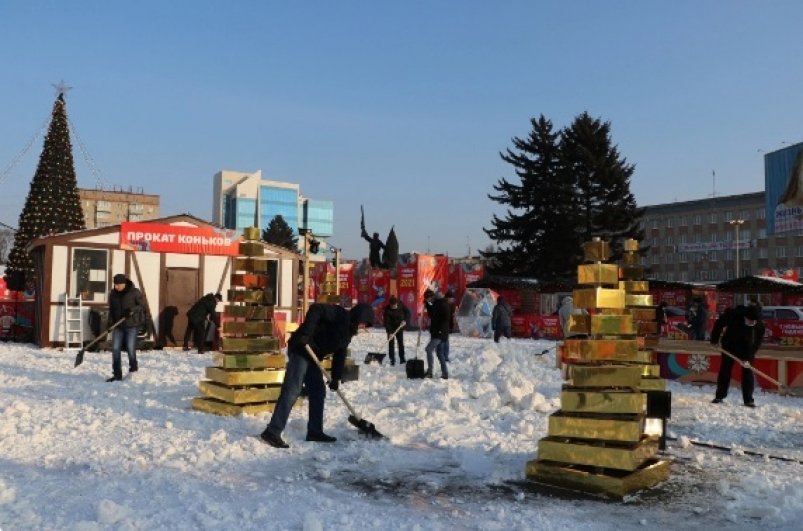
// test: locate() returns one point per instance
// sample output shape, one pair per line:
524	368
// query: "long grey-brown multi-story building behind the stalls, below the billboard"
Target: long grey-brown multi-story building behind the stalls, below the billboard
701	240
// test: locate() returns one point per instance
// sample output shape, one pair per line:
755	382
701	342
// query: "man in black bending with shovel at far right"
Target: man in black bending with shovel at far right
742	337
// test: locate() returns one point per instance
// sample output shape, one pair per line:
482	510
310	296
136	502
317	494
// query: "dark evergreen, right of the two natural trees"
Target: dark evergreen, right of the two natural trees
606	206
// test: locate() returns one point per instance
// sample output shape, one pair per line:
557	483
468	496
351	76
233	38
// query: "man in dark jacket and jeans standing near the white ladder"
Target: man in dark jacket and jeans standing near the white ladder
125	302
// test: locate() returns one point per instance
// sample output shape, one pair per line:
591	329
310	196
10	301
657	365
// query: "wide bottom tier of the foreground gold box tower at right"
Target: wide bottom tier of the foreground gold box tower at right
588	479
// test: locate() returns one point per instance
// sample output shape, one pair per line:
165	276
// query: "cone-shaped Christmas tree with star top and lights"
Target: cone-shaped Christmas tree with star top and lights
52	205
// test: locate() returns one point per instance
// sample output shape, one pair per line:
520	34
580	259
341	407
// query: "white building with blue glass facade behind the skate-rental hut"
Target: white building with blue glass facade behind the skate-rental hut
244	199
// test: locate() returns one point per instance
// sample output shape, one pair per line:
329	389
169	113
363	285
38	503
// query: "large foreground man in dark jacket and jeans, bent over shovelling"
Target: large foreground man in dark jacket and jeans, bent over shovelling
327	329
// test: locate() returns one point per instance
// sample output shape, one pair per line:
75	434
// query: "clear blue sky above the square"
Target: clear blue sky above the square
400	106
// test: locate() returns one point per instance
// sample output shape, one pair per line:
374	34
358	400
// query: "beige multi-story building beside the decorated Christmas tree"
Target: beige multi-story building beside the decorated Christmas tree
103	208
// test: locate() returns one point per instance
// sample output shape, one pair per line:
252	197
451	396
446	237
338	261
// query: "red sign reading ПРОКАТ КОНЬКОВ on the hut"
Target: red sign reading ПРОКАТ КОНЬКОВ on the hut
158	238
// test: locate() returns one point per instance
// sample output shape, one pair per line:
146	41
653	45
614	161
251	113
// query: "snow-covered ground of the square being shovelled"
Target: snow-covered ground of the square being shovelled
79	453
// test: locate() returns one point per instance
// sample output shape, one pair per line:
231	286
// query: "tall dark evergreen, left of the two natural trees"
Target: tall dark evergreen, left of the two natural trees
538	226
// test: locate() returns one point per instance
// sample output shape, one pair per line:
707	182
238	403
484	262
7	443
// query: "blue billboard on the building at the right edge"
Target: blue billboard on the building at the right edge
783	182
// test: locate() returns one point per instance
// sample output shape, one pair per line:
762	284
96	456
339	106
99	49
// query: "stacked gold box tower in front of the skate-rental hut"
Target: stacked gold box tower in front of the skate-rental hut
248	371
